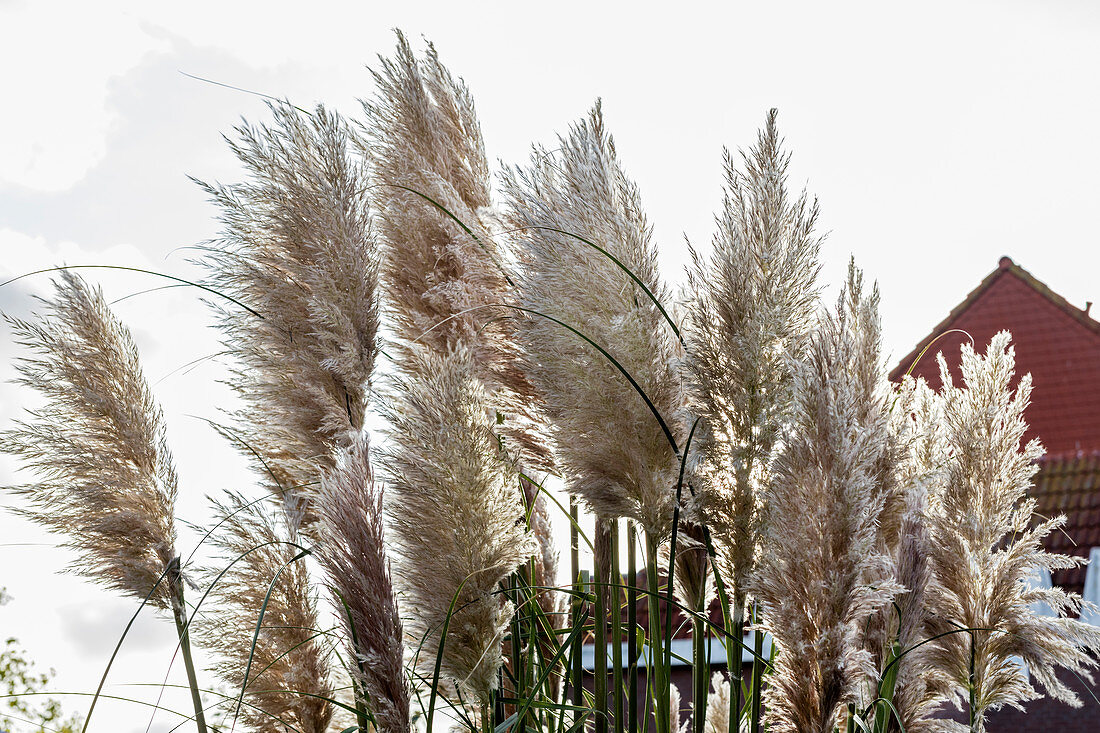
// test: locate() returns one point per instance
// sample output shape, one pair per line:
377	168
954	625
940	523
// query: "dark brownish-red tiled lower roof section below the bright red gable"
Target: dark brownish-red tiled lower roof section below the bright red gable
1071	486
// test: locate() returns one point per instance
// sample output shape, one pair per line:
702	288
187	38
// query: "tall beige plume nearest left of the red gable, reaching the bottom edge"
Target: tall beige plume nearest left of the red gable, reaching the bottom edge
823	509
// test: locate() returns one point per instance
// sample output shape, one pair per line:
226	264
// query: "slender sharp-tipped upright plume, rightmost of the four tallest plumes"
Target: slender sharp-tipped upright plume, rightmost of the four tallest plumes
753	308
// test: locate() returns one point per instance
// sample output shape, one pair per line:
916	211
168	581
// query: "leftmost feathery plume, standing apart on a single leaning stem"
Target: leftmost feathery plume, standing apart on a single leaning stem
106	477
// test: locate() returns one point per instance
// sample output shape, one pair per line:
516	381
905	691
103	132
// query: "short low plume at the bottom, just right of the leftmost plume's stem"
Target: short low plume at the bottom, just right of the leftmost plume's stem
288	670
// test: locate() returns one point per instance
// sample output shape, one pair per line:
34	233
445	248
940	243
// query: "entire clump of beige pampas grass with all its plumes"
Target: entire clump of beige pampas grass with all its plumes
882	535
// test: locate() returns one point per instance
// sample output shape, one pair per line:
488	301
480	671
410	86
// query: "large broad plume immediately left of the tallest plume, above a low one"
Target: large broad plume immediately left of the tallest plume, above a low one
298	249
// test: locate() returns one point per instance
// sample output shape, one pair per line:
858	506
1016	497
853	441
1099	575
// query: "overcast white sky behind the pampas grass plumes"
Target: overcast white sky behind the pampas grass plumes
937	140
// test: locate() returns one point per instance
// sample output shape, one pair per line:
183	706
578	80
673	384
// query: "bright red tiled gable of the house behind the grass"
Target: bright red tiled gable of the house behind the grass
1057	343
